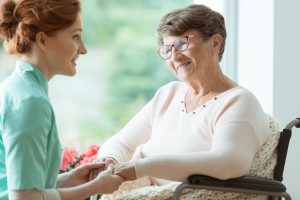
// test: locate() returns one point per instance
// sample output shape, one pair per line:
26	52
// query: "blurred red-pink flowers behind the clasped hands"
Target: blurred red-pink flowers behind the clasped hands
71	159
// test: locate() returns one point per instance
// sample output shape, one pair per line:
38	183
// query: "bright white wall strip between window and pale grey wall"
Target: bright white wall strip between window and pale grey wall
255	49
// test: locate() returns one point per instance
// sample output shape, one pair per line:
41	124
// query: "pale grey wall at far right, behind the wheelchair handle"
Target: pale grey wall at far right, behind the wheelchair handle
286	95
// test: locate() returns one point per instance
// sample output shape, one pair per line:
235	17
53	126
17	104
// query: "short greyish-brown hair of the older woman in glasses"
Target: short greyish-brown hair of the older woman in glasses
198	17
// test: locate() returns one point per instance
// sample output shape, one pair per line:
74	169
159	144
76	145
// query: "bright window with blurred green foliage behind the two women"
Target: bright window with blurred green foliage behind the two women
121	71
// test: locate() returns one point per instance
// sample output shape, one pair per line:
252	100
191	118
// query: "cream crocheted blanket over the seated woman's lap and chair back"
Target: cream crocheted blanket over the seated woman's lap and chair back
262	166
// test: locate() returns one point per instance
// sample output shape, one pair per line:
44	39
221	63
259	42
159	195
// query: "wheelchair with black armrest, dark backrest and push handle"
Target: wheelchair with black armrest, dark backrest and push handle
273	188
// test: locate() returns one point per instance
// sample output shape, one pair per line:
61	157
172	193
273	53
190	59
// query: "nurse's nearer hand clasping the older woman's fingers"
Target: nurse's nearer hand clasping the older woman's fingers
107	181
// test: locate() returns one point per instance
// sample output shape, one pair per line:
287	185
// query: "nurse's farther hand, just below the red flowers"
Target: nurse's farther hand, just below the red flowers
78	175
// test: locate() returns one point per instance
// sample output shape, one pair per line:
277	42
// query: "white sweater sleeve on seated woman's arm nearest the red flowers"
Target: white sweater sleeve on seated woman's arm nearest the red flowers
122	145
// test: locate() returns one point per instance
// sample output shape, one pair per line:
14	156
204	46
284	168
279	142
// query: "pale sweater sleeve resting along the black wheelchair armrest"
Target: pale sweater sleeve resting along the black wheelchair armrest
240	127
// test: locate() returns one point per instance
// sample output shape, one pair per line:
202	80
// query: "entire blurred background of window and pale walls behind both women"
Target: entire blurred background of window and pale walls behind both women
122	69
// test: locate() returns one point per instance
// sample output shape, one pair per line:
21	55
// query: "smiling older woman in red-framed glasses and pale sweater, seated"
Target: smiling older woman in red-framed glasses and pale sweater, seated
205	123
